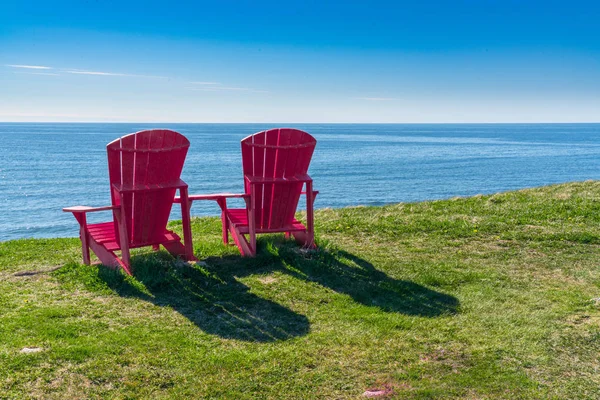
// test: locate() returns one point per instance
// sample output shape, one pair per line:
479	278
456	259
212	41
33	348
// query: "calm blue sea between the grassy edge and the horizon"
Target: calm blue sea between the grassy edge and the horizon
44	167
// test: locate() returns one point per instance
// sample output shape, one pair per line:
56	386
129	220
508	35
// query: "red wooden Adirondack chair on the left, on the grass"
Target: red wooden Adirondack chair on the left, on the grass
144	170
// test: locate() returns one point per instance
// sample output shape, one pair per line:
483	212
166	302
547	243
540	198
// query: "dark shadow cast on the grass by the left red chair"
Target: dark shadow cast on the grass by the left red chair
213	300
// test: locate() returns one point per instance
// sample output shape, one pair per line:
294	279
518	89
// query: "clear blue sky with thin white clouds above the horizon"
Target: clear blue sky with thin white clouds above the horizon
315	61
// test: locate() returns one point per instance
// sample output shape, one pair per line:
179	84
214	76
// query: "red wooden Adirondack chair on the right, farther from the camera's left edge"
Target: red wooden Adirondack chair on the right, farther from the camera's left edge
275	165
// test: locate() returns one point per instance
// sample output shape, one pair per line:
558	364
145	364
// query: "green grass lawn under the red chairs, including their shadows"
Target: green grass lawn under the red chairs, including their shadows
472	298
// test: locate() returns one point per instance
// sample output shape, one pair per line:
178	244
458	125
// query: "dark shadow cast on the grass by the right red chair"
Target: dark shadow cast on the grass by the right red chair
344	273
